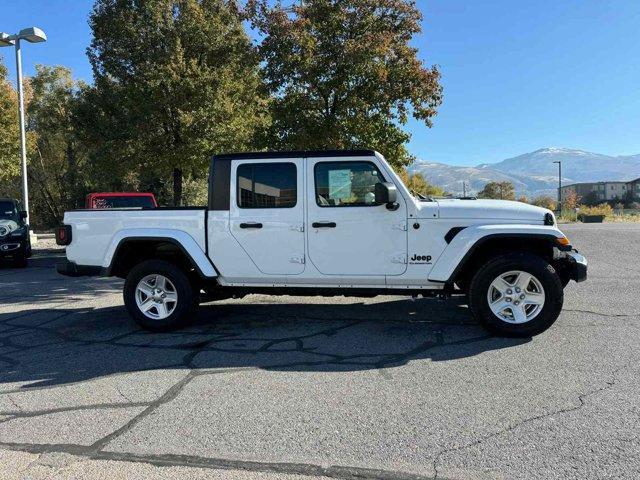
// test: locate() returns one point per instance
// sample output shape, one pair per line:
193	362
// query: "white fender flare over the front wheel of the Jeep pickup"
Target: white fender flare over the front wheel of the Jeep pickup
472	237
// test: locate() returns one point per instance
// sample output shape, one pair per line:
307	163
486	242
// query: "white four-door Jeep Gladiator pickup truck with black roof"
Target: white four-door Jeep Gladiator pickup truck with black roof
326	223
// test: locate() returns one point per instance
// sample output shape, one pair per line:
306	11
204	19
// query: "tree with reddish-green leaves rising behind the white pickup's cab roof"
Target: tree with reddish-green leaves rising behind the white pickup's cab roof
343	74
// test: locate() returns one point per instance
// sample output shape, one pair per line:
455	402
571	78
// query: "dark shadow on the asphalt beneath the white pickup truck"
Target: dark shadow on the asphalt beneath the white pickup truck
49	347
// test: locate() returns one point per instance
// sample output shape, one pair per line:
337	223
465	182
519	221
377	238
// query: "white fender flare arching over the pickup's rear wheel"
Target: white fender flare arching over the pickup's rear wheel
178	237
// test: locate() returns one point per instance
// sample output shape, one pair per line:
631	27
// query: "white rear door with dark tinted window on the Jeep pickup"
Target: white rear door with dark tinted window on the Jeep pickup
267	213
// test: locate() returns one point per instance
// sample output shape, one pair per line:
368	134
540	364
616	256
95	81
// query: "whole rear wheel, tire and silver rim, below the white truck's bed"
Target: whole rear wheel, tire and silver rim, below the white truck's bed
159	296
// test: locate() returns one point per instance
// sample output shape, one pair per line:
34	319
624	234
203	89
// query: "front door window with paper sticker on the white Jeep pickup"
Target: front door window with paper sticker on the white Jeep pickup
346	184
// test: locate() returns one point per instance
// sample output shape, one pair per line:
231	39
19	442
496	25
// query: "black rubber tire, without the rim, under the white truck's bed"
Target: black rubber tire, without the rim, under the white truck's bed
186	296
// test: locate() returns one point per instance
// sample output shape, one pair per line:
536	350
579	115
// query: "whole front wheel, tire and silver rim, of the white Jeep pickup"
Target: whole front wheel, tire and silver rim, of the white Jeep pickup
517	295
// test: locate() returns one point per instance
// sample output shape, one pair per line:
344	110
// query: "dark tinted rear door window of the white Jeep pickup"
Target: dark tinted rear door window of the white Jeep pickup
266	185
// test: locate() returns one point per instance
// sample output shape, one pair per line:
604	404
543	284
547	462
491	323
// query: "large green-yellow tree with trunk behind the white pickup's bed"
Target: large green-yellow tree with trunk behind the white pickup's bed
175	81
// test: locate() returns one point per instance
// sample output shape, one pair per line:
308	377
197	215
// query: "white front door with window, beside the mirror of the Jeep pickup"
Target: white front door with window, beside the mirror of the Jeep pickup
348	233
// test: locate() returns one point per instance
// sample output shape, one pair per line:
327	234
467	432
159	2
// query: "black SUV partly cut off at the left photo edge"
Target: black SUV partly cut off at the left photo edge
14	233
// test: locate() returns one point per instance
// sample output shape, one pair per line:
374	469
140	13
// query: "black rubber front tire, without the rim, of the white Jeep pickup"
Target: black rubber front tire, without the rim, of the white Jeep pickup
526	262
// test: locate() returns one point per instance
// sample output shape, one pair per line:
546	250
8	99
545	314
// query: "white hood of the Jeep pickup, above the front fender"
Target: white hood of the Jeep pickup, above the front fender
491	209
